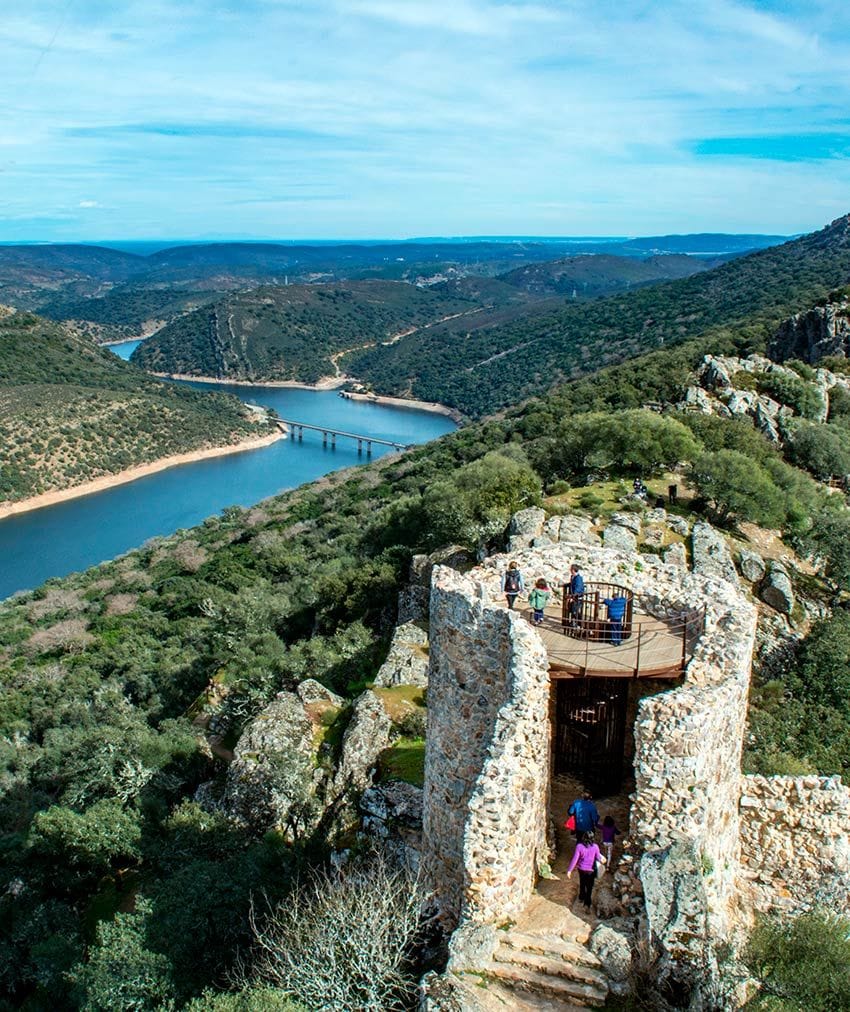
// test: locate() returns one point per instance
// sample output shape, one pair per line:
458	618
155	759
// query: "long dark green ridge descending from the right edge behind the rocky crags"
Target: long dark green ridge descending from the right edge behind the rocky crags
479	372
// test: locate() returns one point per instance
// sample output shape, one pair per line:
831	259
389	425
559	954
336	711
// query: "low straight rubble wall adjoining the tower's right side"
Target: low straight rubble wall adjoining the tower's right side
796	842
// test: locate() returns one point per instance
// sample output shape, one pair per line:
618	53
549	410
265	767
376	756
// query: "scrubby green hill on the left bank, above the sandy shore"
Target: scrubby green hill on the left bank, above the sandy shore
71	412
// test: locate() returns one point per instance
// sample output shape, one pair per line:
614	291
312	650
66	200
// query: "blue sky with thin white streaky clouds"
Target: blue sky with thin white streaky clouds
277	119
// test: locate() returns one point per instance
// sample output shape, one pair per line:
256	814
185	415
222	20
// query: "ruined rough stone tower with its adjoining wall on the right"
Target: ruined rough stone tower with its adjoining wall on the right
709	848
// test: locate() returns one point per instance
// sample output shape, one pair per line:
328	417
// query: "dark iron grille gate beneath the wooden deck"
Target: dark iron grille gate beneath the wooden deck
590	731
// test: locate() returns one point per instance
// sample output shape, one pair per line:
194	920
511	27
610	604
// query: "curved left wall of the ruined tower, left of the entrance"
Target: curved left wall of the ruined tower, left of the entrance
487	770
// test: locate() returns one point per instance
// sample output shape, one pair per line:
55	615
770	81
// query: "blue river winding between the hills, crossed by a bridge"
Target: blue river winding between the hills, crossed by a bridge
72	536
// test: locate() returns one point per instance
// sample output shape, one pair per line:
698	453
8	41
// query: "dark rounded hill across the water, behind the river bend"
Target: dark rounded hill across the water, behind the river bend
293	332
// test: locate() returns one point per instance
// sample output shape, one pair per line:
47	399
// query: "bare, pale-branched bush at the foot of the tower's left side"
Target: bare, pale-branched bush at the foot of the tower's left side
342	943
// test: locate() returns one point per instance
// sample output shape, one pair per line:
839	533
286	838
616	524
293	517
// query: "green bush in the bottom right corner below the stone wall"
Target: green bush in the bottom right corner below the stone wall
804	962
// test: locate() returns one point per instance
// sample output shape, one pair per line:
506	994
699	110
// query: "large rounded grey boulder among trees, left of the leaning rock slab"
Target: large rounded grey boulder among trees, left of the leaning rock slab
272	765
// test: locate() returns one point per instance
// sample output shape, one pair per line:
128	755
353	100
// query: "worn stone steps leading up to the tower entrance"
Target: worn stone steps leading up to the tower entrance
560	970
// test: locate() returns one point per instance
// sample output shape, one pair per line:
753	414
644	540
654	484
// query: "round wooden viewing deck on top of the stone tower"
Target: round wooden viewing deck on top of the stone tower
653	651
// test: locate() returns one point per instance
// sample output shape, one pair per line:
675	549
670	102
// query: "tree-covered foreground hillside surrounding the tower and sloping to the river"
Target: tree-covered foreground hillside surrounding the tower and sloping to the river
120	889
